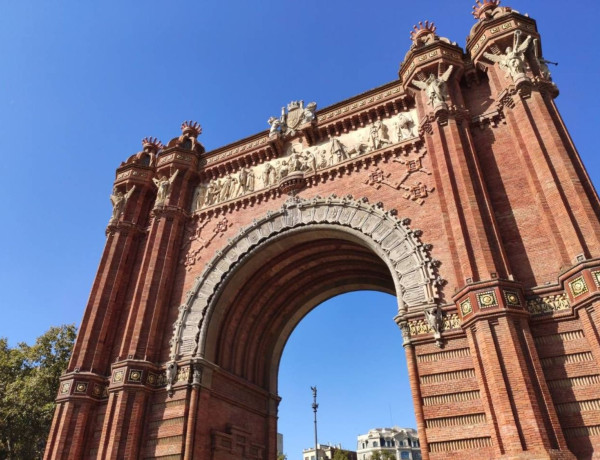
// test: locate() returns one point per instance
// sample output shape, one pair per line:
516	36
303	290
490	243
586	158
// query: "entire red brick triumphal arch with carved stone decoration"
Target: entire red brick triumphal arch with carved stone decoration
456	188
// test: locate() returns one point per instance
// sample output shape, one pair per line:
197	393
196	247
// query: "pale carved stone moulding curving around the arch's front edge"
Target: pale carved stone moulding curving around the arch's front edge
410	266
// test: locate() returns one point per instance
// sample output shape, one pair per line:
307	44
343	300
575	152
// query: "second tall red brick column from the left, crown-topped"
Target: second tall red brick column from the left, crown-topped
143	328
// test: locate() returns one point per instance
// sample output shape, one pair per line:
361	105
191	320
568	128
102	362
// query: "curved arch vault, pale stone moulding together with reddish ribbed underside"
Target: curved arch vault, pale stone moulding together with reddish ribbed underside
291	260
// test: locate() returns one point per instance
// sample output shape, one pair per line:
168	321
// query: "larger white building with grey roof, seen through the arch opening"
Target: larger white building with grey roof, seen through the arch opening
402	442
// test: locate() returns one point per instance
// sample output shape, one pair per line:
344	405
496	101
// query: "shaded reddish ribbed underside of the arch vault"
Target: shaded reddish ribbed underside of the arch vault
269	295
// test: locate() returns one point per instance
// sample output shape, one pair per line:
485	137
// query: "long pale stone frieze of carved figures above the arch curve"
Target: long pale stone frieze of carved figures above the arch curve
307	160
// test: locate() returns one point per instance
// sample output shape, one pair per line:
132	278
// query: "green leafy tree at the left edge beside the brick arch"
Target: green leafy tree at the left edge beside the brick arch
28	386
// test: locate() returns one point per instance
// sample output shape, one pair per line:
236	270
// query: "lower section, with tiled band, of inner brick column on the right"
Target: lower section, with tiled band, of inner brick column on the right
518	404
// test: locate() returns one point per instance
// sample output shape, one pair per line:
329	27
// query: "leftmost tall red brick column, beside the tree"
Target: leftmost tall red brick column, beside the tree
86	375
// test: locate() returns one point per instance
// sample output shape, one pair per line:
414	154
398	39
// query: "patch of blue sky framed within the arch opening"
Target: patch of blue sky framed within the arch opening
351	349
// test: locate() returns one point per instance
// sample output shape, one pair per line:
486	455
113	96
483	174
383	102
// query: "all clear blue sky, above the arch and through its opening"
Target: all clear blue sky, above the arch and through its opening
82	83
